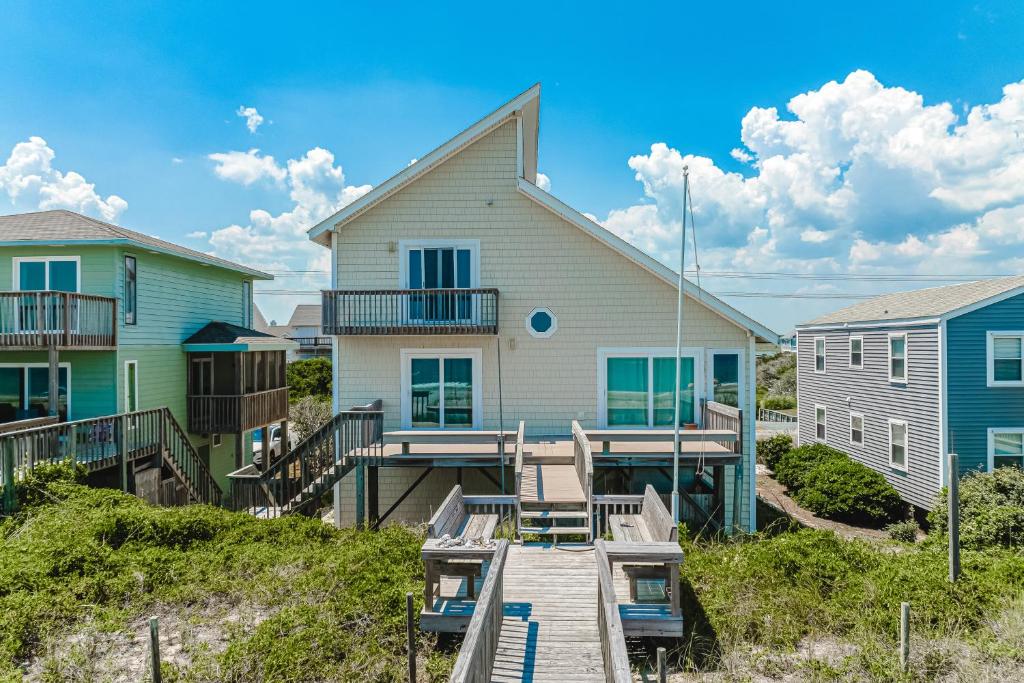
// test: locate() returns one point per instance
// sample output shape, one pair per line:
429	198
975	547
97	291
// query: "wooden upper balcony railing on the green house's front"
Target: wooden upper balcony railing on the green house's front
66	320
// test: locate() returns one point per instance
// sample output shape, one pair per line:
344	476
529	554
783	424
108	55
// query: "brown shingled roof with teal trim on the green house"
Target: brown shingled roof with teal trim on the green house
61	227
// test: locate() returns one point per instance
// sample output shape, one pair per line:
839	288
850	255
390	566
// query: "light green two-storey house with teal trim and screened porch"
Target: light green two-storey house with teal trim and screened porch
134	323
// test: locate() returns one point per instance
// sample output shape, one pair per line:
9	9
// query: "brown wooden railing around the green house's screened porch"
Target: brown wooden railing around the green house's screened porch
234	414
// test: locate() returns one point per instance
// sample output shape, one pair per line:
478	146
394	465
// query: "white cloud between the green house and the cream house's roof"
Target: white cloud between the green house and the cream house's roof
278	242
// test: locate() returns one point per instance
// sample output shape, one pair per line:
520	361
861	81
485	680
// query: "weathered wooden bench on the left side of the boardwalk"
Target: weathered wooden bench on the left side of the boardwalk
453	520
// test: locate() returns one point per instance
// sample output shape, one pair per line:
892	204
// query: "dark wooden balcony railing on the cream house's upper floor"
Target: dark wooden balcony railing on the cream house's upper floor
452	312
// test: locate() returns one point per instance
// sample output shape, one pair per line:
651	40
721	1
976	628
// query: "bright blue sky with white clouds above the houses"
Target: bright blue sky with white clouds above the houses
873	180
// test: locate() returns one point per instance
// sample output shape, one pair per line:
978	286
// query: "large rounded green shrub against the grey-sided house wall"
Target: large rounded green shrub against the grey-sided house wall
846	491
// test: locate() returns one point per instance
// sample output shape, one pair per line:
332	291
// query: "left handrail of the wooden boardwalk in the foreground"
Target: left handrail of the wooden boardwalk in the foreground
477	657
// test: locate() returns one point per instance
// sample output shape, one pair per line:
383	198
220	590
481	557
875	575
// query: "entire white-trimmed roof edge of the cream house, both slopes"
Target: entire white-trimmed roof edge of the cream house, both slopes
527	107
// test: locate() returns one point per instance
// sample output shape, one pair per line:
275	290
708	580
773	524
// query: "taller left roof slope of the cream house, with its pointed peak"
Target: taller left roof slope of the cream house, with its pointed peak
527	105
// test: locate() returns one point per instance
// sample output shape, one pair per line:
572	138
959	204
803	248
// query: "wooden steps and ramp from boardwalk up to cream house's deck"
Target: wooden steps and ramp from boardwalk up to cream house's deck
554	493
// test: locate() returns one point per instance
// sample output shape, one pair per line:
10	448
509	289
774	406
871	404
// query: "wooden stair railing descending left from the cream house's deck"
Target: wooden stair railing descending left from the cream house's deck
306	474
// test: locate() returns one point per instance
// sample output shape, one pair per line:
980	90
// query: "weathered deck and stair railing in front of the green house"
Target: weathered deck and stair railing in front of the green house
117	441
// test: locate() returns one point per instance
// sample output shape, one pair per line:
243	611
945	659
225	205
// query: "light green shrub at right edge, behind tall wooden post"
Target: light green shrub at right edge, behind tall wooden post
992	507
